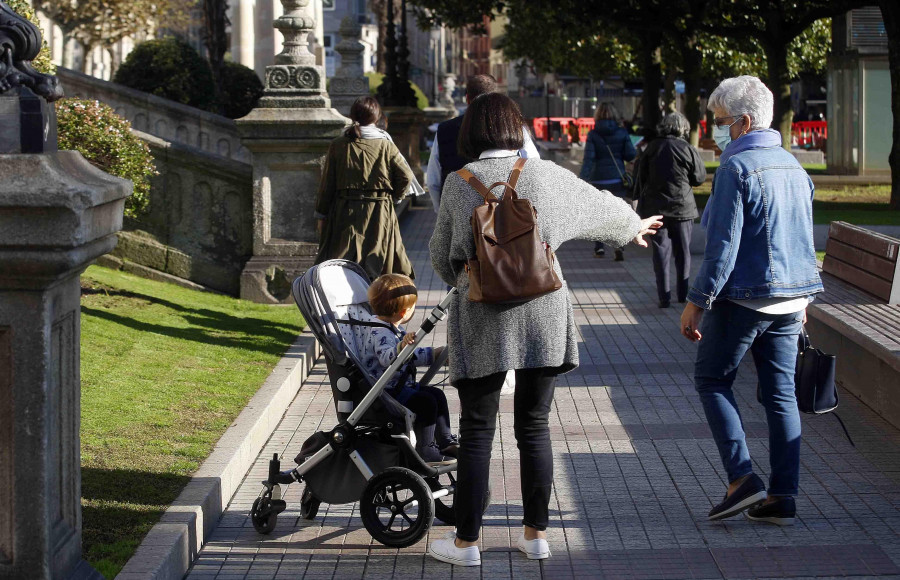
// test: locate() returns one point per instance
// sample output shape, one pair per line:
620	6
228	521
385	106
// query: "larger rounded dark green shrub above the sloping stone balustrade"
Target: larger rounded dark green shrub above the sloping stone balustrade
172	69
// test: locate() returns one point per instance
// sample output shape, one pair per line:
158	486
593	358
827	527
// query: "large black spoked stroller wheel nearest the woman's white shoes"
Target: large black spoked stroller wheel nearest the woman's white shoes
396	507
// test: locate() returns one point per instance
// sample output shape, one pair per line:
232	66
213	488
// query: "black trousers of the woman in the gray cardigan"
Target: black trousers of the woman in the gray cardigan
479	401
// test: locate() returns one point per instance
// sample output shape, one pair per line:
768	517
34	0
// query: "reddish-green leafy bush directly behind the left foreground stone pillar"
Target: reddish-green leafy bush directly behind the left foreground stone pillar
106	141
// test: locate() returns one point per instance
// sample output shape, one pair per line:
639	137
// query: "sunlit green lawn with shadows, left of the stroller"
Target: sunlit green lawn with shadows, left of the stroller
164	371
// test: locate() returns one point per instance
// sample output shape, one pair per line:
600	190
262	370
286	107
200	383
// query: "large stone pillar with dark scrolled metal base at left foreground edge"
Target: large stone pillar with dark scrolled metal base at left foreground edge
57	214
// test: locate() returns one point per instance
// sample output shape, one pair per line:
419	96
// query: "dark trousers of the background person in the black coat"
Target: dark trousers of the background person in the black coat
673	238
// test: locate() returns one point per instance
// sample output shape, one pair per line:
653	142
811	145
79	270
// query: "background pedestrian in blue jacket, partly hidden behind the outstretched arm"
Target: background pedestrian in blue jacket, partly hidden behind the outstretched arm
607	148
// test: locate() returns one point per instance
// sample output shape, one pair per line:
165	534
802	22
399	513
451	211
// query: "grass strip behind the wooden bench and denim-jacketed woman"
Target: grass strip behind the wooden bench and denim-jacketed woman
858	204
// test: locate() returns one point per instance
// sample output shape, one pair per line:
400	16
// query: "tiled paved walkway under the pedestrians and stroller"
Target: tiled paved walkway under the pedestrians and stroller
636	468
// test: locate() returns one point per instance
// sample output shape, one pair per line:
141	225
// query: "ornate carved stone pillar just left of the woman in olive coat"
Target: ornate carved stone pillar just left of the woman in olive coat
288	135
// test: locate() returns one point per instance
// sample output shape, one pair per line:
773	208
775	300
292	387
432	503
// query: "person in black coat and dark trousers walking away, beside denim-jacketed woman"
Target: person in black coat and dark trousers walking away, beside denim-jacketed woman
665	176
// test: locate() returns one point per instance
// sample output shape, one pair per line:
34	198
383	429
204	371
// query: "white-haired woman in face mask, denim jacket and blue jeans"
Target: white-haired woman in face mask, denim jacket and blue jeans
758	275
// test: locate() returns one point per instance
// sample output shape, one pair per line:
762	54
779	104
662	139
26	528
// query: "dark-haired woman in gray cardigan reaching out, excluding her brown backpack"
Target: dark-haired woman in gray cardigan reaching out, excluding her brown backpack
537	338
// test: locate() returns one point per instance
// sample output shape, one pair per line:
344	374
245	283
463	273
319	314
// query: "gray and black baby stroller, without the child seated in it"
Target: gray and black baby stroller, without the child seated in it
369	455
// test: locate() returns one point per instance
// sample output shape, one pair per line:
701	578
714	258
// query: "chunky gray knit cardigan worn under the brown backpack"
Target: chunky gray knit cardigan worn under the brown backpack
489	338
